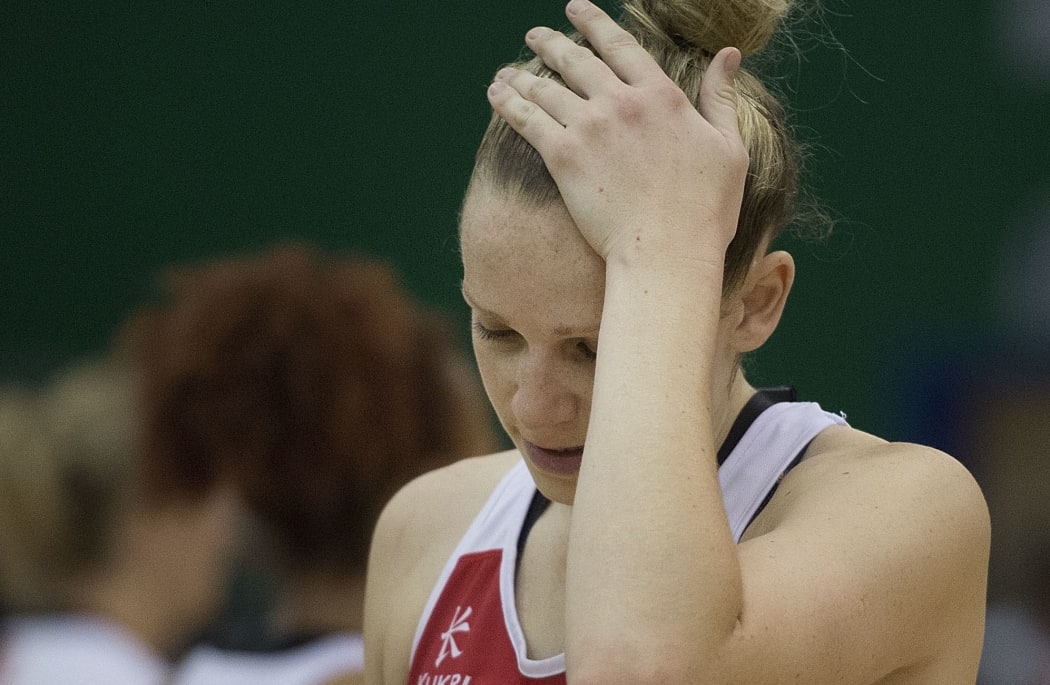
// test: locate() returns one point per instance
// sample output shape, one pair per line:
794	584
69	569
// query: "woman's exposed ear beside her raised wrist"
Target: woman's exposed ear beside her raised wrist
764	297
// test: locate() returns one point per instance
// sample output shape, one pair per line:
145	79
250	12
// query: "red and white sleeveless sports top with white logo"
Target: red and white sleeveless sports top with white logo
748	475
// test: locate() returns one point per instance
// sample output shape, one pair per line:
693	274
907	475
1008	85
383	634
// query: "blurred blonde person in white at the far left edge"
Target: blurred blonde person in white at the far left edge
109	561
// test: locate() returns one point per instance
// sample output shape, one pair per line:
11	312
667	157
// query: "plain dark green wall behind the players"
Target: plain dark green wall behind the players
137	136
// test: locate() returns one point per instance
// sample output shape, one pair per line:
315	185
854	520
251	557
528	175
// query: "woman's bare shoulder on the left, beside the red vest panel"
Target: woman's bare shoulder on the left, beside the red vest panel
416	534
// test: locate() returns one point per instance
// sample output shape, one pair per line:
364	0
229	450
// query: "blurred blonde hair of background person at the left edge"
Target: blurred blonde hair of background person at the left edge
68	455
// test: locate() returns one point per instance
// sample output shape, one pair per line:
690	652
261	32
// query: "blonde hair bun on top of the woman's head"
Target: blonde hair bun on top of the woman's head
711	25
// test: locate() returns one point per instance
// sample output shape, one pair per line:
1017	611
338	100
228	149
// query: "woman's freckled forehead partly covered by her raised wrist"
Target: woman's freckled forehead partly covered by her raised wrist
518	255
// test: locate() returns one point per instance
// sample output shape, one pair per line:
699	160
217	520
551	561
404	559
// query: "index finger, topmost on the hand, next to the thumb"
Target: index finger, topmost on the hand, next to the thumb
618	49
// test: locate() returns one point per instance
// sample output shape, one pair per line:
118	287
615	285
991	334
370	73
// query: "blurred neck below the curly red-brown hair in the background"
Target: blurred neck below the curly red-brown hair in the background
321	603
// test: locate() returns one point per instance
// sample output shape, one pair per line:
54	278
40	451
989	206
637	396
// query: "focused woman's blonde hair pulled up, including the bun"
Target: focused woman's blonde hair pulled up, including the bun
683	36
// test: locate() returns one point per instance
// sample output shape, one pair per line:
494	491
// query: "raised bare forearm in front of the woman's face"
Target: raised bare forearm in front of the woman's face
652	559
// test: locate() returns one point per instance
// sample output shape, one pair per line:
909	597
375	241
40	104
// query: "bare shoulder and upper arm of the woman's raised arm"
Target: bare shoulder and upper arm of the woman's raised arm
871	565
